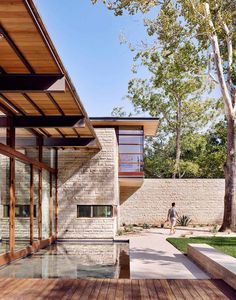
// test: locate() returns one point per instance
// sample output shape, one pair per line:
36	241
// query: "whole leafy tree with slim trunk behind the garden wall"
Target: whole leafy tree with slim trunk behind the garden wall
173	92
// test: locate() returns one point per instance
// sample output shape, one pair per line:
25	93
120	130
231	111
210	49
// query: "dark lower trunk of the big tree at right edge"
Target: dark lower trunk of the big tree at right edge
229	219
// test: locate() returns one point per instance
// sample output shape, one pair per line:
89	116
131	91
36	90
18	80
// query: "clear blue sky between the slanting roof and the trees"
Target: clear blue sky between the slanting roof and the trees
87	39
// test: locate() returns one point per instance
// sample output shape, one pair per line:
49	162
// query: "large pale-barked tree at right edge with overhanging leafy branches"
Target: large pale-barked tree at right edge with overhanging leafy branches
211	24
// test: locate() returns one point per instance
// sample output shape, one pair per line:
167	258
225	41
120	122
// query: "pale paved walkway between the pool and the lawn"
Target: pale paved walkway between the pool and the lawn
152	257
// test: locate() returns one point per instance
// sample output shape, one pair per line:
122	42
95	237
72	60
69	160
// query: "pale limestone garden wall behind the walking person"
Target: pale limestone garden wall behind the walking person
201	199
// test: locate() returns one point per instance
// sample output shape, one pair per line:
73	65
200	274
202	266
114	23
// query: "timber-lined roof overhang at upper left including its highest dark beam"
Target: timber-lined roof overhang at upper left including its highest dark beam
34	81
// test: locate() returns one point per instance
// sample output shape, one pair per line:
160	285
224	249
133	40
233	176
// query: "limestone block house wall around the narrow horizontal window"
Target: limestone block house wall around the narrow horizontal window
88	178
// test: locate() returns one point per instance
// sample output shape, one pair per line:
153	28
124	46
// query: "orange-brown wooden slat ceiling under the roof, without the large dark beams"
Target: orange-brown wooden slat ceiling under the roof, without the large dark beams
21	21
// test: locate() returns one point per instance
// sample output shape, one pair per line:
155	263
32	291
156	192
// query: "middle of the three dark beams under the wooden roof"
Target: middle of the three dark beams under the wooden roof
44	121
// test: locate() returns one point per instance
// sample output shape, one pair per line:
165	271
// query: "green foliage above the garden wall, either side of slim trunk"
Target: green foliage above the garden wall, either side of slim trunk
203	155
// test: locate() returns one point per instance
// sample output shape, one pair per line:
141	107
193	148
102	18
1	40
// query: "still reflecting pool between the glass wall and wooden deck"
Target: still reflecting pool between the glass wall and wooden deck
73	260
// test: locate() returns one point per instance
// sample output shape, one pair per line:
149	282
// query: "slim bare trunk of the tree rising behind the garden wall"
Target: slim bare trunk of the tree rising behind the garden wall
178	140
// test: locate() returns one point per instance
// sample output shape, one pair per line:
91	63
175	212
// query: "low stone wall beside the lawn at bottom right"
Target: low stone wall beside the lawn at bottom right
215	262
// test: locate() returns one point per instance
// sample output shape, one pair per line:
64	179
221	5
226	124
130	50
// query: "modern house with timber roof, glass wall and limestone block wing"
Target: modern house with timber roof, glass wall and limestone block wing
61	172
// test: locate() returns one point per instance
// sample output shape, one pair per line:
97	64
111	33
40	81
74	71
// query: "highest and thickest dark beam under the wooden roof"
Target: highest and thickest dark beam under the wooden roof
32	83
